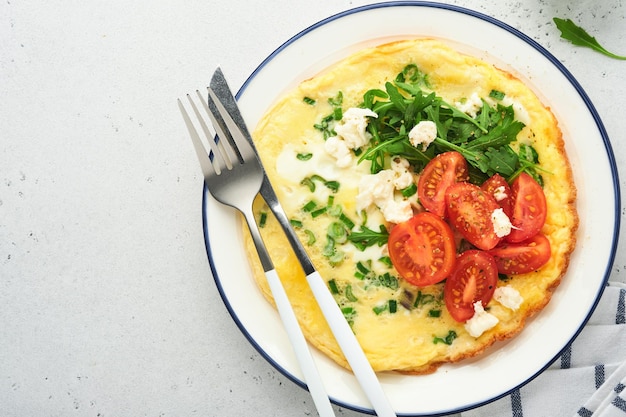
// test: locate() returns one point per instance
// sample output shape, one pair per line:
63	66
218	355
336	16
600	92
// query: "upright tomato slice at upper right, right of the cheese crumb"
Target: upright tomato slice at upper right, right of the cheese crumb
529	208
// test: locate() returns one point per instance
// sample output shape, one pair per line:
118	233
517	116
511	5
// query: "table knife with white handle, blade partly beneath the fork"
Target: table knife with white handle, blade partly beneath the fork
339	326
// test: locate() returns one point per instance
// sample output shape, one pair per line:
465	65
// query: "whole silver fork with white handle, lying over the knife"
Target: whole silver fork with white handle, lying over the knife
233	176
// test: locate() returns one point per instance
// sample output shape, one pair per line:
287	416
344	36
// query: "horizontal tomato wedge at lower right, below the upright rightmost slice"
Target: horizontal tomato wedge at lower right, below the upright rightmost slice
522	257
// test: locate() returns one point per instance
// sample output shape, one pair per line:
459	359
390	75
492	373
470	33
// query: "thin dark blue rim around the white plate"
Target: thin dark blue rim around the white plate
589	107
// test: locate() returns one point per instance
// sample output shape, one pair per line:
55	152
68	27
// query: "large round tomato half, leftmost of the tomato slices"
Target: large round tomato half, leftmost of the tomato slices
422	249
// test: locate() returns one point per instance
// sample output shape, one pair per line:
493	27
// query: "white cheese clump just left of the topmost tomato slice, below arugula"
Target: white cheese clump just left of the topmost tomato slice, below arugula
379	190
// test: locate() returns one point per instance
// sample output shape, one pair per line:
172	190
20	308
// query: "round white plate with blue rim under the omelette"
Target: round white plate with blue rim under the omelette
471	383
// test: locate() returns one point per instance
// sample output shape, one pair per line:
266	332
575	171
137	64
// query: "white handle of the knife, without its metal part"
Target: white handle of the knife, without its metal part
350	346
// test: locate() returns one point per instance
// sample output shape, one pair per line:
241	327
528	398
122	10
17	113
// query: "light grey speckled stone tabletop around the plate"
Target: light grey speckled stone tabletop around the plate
107	307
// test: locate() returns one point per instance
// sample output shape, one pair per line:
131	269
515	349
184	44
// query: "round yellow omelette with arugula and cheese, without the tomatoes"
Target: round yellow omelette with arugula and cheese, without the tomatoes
347	183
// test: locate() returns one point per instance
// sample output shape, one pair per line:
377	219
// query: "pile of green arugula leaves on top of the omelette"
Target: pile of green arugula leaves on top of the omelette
484	140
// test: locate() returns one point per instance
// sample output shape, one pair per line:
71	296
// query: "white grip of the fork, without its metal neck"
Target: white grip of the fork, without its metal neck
300	346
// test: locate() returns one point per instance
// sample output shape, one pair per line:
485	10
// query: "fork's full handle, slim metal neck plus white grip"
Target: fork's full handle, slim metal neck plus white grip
290	322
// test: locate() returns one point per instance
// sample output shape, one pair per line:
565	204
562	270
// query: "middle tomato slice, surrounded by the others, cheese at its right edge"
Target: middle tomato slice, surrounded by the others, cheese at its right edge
469	210
